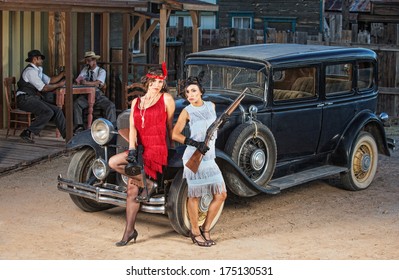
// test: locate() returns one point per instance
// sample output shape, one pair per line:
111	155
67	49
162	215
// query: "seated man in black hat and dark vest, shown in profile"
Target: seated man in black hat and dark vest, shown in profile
31	83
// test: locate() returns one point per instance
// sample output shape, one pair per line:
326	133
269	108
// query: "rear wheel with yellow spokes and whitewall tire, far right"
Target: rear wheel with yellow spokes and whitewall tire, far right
363	163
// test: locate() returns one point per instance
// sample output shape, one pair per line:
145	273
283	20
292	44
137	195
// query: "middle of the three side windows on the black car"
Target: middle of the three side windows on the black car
339	78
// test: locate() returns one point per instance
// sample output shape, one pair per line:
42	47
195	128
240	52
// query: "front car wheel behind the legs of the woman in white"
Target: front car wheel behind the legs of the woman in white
177	206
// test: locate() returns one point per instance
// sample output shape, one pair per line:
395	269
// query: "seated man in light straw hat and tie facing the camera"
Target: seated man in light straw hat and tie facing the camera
92	75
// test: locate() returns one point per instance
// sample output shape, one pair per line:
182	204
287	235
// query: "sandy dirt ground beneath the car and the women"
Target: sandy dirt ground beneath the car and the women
308	222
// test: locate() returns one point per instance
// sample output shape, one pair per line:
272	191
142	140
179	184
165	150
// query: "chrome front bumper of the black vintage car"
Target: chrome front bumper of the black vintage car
109	194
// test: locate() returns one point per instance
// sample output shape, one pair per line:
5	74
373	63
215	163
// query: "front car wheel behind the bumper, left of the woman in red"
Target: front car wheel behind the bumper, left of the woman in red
80	170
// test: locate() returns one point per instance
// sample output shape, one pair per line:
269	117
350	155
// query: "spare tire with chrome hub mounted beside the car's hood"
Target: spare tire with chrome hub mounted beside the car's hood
253	148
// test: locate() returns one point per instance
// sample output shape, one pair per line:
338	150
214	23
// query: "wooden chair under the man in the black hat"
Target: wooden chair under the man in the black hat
15	115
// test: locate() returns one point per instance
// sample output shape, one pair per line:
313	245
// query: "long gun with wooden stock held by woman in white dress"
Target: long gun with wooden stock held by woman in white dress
195	160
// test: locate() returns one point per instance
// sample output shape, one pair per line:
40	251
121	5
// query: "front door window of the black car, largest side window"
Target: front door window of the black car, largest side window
294	83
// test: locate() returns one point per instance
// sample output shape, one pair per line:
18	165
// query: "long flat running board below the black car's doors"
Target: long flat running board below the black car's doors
306	176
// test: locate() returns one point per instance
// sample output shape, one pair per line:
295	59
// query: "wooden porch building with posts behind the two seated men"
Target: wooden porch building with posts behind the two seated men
59	28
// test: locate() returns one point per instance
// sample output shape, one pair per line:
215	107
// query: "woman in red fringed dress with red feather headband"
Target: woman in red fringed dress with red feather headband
151	118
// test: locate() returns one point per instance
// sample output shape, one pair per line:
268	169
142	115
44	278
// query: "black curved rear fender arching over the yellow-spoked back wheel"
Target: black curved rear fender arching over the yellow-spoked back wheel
366	121
